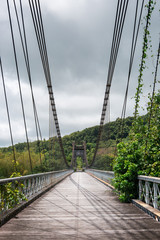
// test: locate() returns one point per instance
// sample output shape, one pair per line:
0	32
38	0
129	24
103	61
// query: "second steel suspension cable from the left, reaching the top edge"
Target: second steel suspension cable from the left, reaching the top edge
19	84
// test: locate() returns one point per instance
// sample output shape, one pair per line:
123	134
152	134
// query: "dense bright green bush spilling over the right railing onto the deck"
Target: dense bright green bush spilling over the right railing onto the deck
126	168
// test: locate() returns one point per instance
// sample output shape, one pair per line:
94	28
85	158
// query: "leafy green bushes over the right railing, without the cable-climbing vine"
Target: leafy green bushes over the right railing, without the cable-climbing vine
134	158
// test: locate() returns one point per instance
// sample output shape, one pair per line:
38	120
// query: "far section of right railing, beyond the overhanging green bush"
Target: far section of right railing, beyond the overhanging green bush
106	176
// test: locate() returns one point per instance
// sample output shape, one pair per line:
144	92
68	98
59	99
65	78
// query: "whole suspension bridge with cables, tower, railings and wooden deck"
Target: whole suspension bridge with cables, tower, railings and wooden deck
62	203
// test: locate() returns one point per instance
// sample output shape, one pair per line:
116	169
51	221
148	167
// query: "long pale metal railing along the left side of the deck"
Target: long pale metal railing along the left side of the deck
14	191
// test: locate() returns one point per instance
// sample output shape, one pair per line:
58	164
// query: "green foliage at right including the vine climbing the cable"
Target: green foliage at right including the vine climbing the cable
141	154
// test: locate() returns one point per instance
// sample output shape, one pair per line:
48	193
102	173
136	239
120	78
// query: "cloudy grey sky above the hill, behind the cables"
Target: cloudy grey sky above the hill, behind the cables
78	36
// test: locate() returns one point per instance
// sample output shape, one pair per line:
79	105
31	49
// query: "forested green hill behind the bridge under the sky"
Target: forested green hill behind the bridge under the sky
50	151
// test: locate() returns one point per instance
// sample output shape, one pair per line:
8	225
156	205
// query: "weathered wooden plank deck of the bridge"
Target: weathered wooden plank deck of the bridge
80	207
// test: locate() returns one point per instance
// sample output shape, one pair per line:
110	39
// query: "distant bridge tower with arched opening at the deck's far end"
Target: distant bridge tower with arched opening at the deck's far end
79	151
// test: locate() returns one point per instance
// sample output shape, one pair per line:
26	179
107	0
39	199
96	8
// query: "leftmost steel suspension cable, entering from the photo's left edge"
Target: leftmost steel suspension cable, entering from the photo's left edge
8	115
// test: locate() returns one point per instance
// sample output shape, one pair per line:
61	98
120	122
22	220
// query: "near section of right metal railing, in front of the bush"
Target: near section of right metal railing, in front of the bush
149	190
